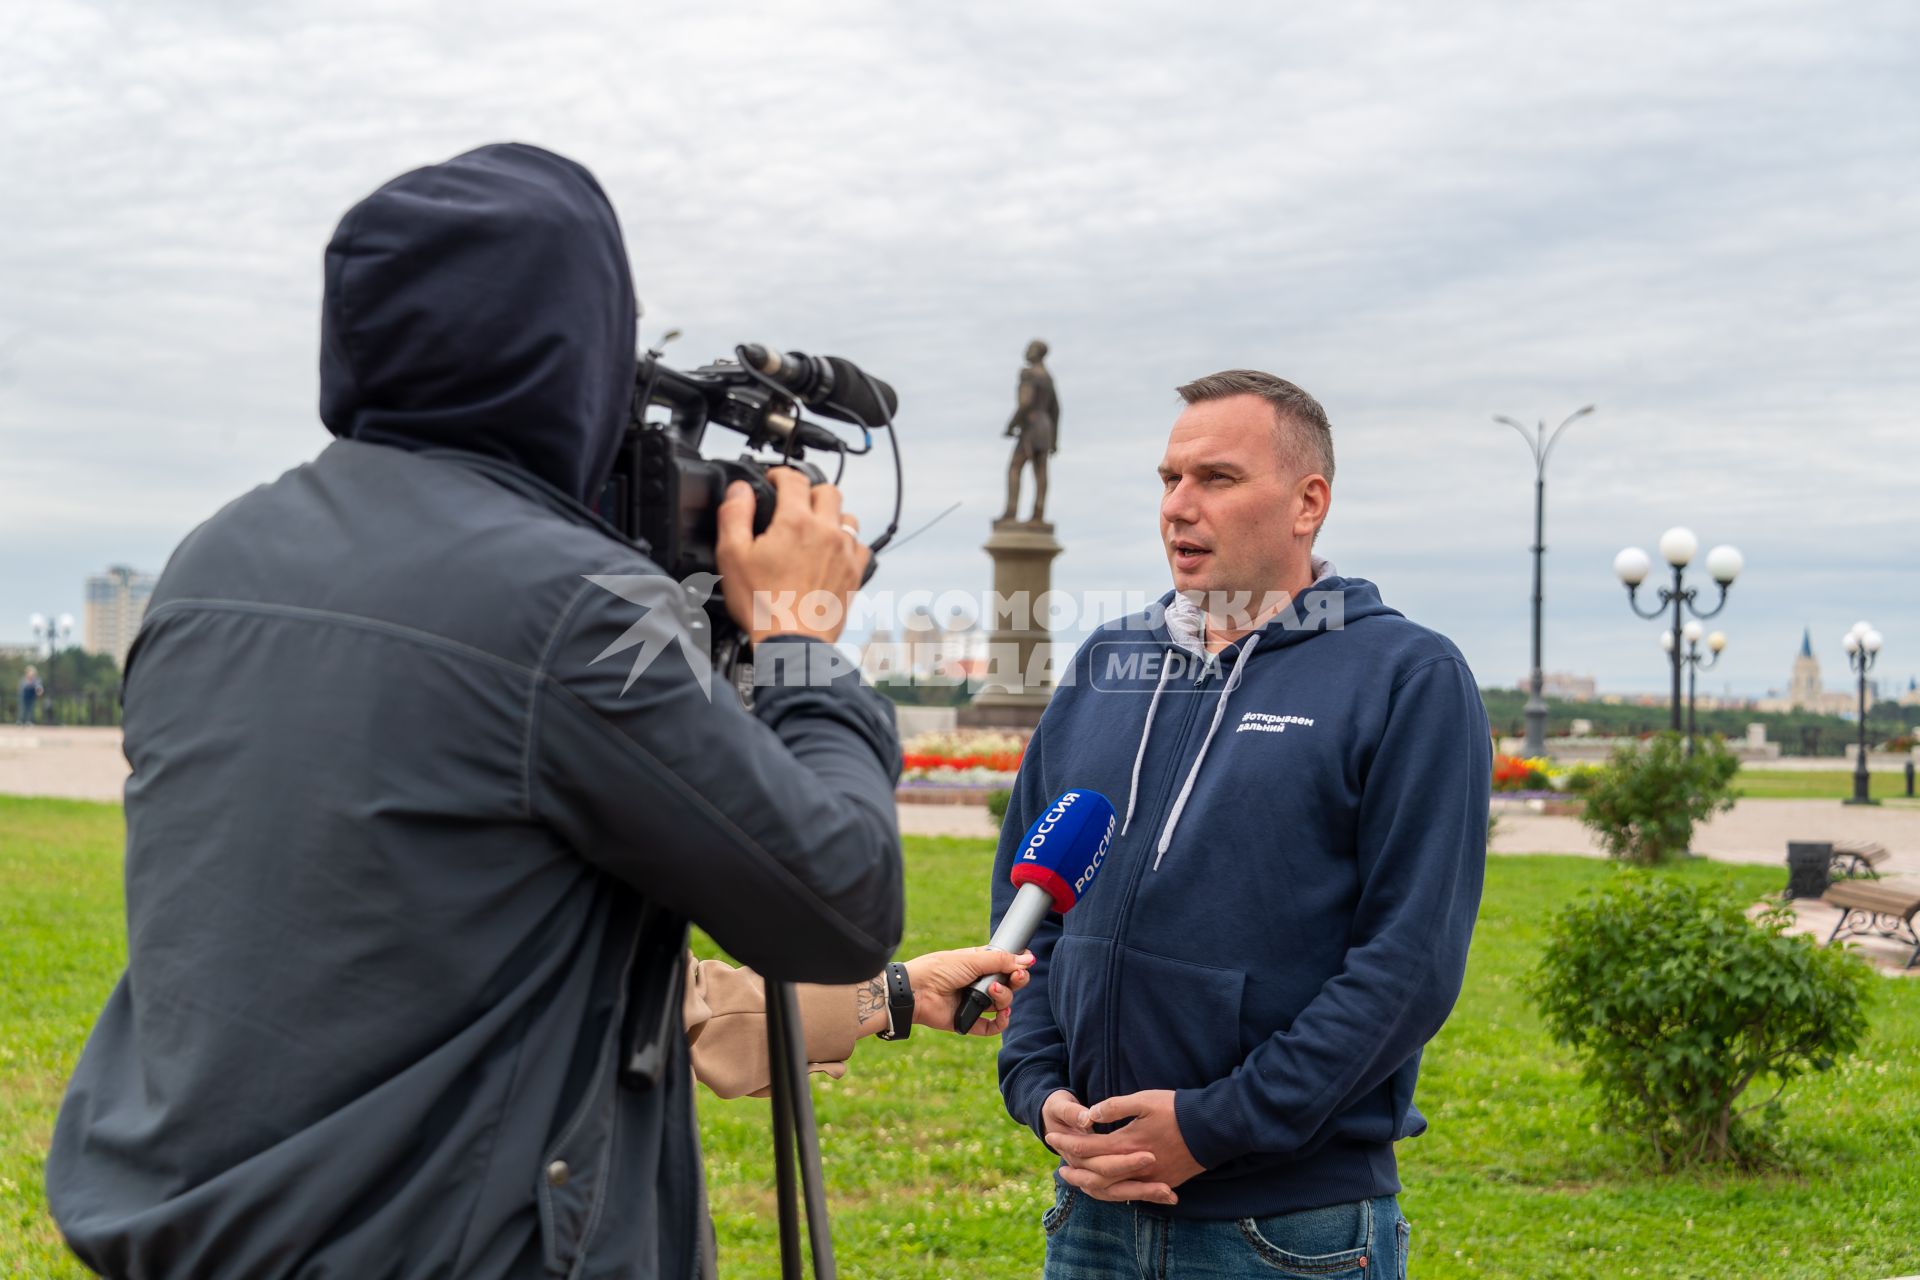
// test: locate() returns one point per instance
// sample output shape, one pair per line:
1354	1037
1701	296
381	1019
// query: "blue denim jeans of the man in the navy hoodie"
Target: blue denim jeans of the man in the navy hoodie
1099	1241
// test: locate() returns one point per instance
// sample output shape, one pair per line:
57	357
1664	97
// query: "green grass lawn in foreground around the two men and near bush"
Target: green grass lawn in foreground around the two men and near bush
930	1179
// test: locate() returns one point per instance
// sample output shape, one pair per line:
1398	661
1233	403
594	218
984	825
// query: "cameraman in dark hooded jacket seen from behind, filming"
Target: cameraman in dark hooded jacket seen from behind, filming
402	792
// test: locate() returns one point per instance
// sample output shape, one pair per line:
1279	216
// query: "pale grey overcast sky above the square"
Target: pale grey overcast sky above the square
1702	218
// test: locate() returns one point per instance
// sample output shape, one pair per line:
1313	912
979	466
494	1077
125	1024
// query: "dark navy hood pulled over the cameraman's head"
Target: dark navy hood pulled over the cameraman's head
485	306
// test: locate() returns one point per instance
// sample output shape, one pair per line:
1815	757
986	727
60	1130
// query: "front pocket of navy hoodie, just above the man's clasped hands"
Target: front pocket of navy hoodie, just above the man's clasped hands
1180	1024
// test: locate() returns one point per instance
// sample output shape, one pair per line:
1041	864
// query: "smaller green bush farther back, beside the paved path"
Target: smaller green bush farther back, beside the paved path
1644	805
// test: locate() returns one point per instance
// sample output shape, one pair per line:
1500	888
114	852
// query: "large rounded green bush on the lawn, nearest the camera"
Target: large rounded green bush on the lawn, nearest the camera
1675	1003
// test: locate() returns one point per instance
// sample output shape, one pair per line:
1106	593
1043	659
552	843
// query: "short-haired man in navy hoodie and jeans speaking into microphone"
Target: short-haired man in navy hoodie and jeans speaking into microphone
1285	914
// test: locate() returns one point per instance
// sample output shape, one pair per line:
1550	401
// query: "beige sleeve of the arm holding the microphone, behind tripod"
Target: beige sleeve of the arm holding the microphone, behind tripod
725	1014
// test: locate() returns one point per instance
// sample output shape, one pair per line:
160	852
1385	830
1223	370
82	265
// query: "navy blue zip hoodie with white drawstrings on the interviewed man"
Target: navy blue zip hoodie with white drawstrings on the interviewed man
1284	920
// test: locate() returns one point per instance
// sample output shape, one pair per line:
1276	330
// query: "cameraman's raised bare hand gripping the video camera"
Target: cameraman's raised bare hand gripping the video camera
809	550
